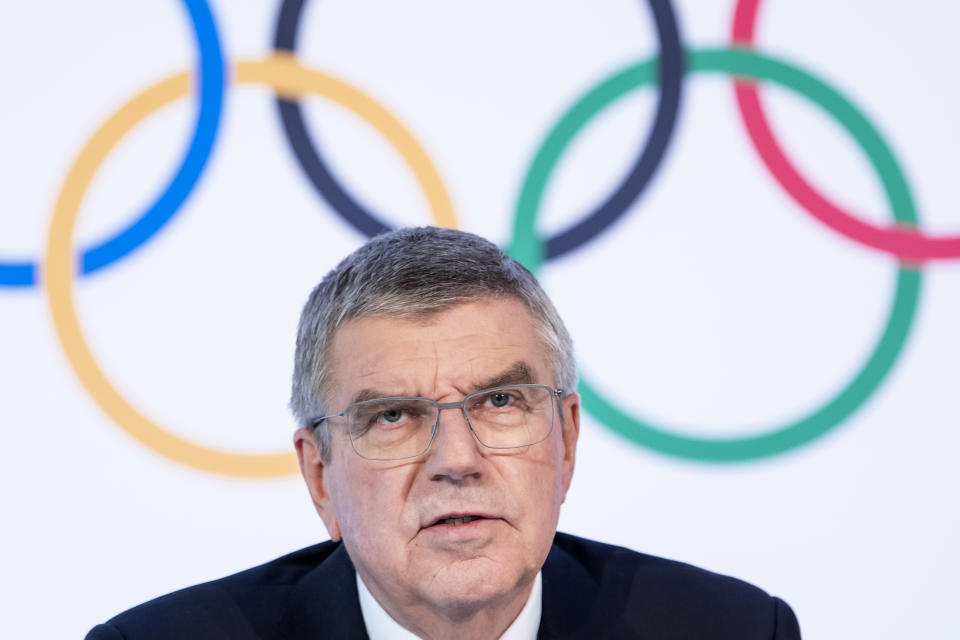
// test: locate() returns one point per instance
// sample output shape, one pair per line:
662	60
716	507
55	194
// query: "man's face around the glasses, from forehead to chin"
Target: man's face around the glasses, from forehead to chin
387	512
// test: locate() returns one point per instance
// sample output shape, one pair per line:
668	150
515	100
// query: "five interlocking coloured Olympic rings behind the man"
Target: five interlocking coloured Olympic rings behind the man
667	72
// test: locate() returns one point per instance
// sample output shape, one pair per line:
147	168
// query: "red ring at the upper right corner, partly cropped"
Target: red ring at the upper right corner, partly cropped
905	243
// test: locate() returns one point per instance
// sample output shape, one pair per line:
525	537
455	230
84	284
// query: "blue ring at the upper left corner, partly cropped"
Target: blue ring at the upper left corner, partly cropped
148	223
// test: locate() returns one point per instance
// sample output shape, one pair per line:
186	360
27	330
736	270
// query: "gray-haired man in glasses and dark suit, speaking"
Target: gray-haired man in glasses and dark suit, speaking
434	386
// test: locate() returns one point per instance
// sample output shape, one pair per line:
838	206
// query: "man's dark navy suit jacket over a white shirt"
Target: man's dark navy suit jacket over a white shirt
590	590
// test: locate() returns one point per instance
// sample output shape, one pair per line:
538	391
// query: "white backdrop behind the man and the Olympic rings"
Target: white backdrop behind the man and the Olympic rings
716	307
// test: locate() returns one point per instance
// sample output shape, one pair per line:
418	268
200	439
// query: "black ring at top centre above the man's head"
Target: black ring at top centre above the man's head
671	69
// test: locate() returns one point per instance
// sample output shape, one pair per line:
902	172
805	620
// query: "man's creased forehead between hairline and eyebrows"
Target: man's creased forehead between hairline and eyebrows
452	351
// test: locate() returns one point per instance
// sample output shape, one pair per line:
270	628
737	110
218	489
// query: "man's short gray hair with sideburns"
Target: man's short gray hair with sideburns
414	273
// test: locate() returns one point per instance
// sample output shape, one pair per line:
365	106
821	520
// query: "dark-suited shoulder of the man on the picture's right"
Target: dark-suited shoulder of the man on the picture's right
638	594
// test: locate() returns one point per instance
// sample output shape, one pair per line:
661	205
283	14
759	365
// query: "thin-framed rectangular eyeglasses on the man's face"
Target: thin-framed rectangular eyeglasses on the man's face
403	427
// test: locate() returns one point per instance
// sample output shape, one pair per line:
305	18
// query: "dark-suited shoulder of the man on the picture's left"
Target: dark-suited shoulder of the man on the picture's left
248	604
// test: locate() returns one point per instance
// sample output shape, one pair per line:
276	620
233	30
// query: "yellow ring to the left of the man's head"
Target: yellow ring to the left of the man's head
288	79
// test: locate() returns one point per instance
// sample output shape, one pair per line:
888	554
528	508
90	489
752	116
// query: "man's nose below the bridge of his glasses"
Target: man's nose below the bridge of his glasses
455	452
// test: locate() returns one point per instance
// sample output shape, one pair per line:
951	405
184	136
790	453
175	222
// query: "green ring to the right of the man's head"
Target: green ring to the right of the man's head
527	246
